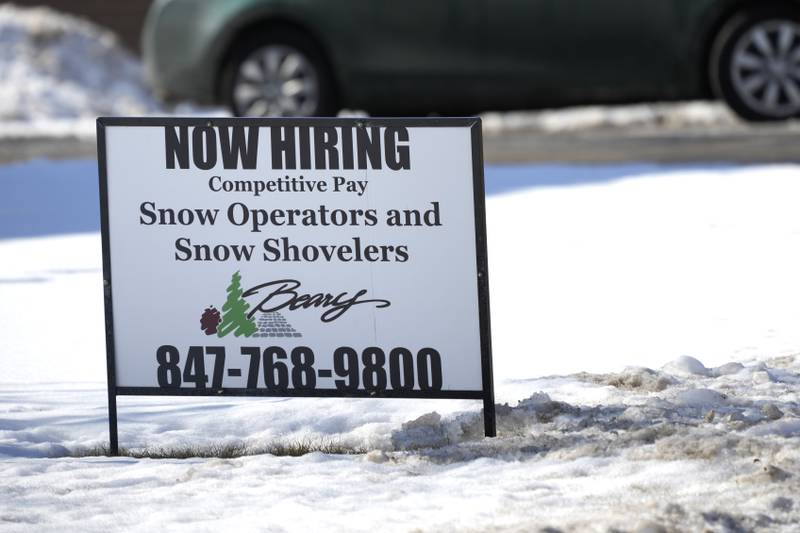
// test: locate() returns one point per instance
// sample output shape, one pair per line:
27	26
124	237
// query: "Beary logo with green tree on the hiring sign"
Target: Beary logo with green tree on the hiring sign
238	318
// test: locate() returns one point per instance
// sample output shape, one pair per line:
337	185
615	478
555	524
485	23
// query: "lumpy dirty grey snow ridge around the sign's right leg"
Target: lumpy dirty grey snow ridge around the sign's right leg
711	411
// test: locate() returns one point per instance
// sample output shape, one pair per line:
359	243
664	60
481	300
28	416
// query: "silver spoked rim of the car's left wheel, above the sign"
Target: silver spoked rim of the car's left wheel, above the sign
276	80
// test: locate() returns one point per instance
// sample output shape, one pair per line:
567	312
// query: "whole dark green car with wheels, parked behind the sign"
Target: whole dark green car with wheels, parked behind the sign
315	57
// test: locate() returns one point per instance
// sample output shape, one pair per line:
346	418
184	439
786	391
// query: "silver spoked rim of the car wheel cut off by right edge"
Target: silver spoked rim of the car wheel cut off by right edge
765	68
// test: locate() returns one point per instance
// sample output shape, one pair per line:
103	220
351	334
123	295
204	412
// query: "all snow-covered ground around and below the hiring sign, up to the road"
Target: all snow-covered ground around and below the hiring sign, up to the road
634	273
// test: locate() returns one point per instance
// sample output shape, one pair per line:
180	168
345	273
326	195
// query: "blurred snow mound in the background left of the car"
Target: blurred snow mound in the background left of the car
58	67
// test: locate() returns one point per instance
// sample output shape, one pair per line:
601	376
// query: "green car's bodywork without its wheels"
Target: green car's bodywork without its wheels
454	55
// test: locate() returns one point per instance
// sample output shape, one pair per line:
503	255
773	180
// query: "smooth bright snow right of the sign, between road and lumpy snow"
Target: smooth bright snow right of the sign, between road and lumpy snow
641	265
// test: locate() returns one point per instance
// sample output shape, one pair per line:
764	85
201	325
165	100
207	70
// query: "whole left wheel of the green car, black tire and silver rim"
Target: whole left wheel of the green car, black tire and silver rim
282	73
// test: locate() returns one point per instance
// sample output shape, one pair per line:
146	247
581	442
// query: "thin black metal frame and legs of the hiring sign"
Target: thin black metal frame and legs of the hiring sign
482	281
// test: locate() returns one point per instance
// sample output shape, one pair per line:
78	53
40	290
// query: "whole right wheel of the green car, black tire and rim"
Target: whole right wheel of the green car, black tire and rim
755	63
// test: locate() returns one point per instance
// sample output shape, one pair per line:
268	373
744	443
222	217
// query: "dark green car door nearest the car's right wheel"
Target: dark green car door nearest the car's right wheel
567	51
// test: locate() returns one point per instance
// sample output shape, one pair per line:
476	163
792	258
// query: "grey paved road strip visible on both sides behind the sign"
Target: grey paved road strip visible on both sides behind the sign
762	144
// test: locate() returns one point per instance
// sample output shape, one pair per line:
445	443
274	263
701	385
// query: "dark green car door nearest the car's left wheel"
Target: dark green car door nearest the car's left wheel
417	53
